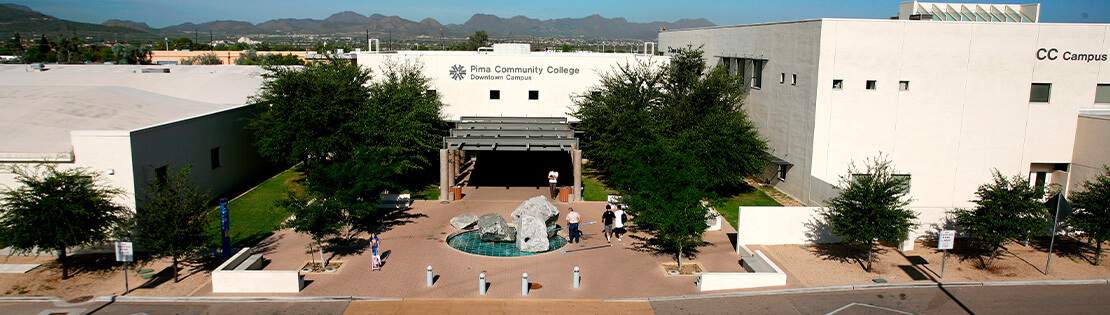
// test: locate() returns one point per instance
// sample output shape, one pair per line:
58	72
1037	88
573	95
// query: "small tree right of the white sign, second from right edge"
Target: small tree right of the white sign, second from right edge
1007	209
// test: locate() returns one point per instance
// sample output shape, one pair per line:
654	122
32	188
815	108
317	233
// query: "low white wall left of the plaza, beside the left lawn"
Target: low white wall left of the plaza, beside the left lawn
226	279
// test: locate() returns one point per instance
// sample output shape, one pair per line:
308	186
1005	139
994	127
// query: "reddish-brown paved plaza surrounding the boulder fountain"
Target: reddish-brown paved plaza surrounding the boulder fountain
618	272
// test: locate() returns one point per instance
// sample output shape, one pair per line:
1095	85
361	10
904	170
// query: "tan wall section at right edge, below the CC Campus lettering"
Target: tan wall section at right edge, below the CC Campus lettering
1092	151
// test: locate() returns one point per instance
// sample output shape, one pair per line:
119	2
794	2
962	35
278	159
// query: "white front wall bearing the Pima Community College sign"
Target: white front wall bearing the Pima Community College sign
470	95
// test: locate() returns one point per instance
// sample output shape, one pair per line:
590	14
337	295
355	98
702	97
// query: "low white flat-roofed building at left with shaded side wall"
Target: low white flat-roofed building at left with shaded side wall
132	121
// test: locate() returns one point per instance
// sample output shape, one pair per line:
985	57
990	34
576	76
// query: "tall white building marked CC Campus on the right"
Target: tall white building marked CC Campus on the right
947	99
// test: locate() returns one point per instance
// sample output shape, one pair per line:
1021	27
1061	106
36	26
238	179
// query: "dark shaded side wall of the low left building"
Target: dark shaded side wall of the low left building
190	141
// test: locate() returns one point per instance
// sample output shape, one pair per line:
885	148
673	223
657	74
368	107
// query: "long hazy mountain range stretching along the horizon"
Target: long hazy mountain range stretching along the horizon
348	23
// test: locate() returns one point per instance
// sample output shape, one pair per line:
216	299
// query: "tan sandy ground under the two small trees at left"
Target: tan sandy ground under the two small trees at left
98	275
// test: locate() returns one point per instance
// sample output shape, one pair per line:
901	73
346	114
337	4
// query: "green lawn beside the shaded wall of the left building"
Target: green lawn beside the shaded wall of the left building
254	216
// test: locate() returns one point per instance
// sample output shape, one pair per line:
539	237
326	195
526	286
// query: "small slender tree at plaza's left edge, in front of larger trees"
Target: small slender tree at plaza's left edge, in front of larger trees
319	218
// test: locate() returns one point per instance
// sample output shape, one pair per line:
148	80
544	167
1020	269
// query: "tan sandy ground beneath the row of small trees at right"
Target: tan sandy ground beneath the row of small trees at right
834	265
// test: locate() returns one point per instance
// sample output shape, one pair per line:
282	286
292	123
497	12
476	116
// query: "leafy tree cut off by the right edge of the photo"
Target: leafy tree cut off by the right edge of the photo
1094	218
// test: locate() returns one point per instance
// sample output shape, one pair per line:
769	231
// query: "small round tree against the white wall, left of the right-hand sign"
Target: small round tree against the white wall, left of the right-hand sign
872	207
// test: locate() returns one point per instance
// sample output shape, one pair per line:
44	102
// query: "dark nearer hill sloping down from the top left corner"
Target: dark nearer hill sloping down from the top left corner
15	18
